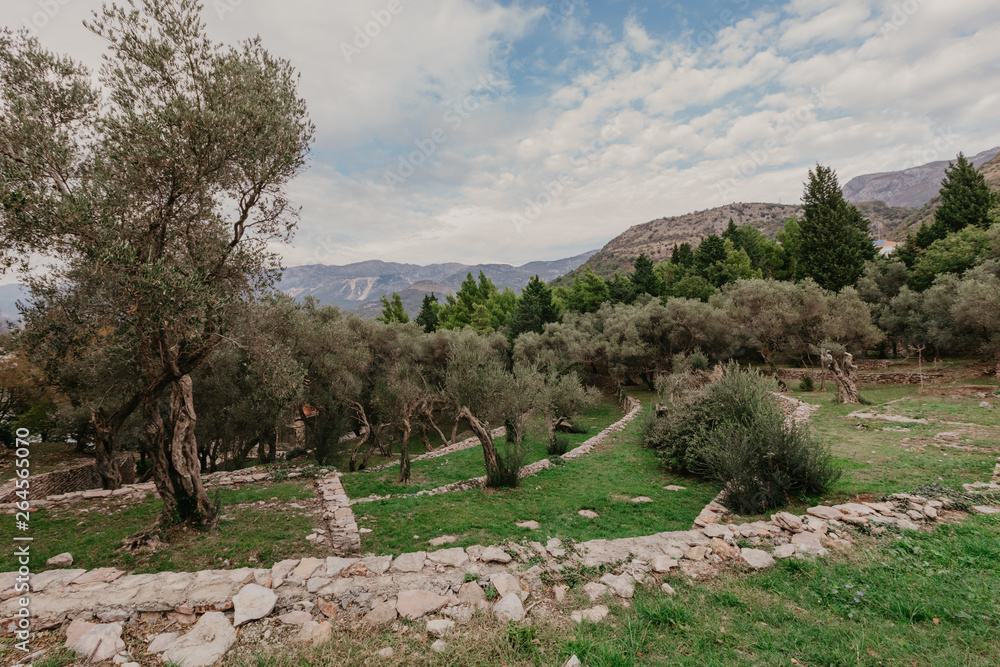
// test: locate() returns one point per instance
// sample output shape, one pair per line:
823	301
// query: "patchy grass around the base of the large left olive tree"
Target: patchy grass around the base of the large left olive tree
267	534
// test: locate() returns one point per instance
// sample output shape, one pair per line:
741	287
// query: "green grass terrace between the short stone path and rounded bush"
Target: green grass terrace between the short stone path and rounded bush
605	481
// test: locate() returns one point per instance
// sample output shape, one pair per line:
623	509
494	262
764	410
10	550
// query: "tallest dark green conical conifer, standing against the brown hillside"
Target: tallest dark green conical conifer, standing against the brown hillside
835	238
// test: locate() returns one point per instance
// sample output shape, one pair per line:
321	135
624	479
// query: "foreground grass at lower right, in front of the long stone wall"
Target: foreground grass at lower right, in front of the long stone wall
928	600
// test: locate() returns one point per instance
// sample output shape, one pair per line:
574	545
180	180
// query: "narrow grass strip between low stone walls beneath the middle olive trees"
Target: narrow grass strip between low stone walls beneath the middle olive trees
468	463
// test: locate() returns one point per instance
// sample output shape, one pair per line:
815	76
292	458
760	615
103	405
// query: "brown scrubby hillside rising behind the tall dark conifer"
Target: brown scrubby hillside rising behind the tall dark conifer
657	238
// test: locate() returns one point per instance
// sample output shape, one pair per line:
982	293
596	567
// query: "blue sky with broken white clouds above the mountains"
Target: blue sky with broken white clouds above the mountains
500	131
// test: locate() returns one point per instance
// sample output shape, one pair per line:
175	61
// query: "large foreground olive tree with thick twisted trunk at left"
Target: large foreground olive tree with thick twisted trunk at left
158	196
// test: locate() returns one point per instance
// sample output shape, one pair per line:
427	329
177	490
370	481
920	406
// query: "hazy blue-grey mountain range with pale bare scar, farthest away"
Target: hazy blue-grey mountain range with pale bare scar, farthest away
359	286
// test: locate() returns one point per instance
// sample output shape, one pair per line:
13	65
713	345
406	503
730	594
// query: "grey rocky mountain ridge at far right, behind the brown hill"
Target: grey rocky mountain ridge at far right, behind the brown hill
911	188
